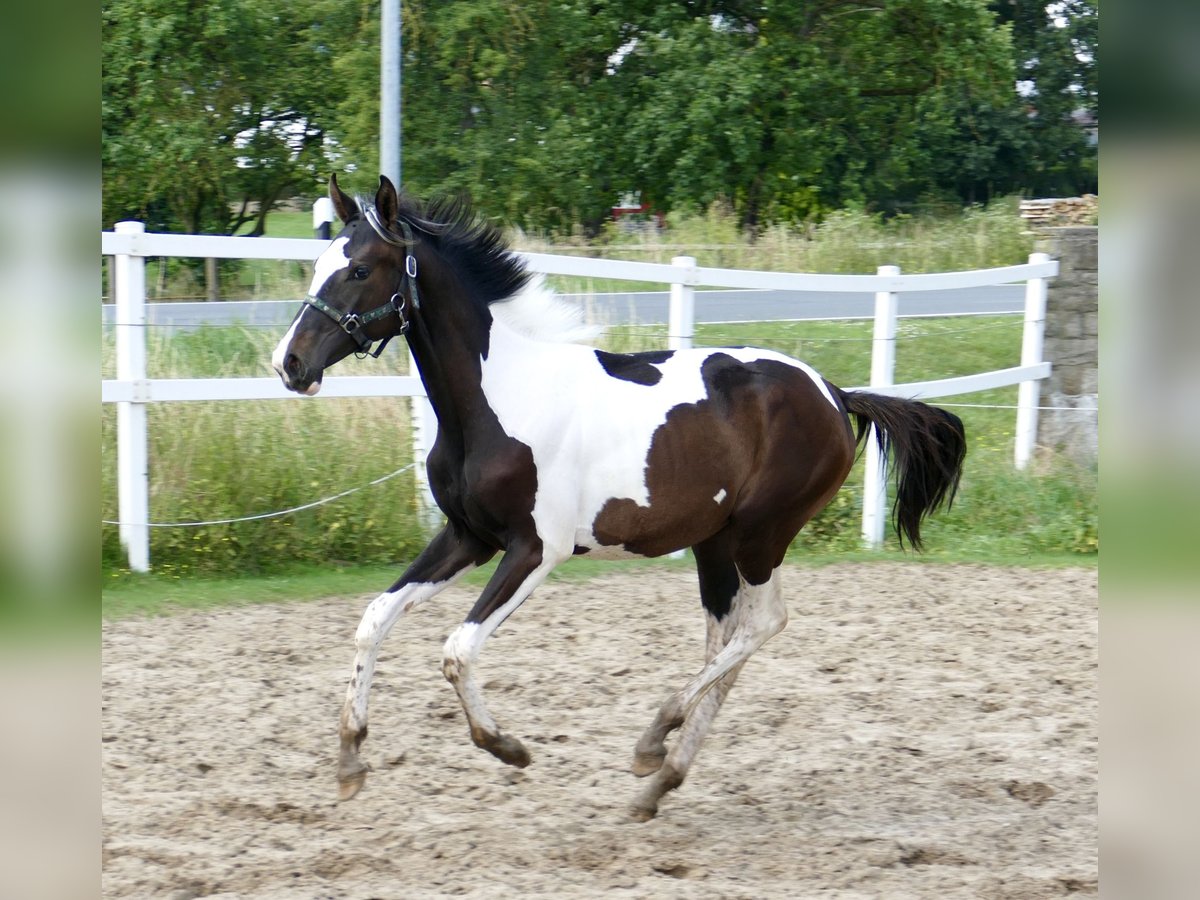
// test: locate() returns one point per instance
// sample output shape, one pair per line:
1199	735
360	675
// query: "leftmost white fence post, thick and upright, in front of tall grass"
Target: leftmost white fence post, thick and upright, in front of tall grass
133	449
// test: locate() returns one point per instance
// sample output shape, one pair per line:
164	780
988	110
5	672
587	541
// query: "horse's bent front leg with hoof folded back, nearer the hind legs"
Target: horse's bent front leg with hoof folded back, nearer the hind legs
519	573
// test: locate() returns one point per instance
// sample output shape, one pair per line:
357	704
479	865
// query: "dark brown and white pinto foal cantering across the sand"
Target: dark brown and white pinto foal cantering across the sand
549	449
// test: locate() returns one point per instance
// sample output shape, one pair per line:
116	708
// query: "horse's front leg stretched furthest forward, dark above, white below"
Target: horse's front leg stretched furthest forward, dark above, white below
448	557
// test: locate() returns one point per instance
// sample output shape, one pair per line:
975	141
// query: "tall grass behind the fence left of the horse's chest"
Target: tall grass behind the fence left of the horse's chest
225	460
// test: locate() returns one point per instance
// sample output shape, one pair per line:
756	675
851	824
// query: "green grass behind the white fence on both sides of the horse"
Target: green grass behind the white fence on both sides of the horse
226	460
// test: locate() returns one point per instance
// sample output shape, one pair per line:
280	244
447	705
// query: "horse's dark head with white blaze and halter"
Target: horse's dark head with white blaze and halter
363	291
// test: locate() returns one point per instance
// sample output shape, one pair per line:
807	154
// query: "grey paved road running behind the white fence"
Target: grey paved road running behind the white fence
649	308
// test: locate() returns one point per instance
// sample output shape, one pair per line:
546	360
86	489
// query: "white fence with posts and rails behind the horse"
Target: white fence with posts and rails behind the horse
133	391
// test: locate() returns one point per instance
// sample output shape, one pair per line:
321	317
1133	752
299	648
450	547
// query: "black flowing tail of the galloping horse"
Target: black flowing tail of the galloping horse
928	447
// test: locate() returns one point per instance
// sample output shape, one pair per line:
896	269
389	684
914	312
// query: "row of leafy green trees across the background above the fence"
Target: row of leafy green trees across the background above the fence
544	112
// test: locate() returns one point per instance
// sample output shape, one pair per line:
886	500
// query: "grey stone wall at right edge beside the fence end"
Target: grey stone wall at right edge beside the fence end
1071	345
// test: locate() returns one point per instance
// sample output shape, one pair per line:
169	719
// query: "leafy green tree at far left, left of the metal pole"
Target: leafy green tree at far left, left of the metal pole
214	112
